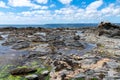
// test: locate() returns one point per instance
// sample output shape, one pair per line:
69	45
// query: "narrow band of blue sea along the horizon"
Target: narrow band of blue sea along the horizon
78	25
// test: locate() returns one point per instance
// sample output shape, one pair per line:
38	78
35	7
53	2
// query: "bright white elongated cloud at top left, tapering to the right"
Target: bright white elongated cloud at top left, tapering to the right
25	3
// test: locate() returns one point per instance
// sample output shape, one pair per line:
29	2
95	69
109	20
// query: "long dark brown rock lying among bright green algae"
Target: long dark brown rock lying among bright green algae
22	71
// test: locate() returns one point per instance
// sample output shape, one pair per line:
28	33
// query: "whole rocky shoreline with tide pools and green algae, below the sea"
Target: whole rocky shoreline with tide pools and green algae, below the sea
62	53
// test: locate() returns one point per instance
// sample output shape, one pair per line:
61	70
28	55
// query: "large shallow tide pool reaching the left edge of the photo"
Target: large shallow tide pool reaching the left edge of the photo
8	55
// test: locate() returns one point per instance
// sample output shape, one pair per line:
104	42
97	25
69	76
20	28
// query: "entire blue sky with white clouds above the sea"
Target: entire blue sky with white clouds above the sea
59	11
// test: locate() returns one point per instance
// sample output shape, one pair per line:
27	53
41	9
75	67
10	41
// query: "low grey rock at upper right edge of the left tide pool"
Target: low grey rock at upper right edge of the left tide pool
21	45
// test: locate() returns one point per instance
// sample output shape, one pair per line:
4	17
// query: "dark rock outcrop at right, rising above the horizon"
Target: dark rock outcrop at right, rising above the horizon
109	30
